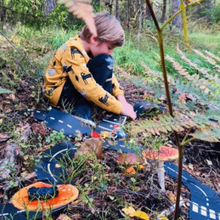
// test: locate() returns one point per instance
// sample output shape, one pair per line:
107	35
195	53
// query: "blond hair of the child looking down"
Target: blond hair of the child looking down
109	30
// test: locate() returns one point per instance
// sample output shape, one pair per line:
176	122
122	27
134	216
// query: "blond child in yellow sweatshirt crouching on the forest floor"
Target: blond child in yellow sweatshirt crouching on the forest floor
81	71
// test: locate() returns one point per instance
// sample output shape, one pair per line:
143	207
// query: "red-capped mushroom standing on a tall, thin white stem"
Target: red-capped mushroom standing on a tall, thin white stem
164	154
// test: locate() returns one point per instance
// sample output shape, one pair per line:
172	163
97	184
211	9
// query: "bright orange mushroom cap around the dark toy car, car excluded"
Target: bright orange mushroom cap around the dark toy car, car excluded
67	193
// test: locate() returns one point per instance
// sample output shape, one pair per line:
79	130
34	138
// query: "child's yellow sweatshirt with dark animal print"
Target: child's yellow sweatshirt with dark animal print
70	61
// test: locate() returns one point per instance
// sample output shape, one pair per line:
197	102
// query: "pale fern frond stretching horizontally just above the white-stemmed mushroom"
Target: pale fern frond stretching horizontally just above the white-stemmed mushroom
204	128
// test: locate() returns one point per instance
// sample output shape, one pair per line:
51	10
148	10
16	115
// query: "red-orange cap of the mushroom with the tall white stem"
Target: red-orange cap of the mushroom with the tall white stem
164	154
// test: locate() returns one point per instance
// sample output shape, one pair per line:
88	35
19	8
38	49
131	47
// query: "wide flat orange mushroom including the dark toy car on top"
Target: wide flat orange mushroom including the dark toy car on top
63	195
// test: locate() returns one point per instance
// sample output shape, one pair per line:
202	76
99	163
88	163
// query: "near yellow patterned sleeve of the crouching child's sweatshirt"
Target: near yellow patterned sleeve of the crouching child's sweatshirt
75	65
